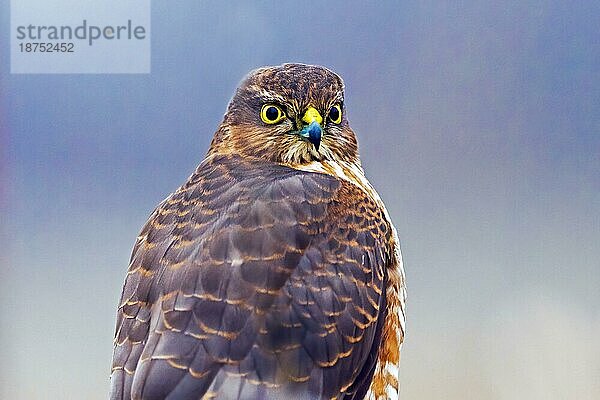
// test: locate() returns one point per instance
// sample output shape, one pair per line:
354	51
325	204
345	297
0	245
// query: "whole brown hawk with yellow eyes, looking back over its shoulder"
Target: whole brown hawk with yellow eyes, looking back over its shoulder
274	271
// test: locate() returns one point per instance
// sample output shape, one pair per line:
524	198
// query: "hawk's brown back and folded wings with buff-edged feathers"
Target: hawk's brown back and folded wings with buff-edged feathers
254	280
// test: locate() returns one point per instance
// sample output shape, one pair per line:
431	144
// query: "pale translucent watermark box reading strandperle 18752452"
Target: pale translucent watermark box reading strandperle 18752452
80	36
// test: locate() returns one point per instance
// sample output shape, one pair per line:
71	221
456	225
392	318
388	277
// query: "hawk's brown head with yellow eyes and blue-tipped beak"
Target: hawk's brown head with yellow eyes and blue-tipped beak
293	114
